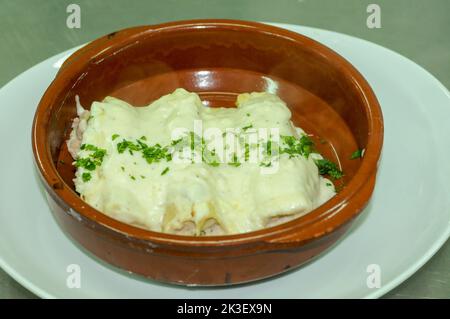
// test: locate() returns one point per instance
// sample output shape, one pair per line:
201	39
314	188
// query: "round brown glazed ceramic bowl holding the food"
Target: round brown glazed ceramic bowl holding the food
218	59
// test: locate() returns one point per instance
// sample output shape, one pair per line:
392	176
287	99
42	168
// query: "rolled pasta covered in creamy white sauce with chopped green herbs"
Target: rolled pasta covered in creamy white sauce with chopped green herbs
179	167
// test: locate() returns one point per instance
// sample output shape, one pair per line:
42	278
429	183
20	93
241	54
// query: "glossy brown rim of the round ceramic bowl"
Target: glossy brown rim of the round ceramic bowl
325	218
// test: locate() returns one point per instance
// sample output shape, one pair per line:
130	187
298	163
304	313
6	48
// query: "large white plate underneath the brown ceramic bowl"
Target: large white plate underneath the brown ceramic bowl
406	223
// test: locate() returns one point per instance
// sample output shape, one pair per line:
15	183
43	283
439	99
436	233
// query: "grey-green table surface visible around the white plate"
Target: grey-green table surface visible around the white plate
34	30
